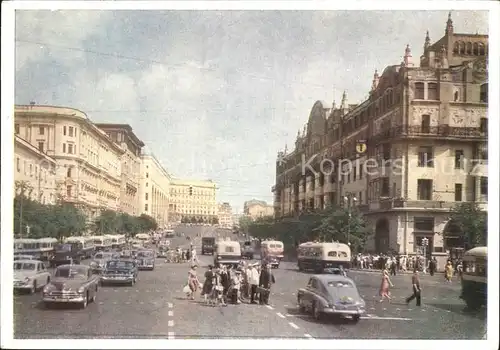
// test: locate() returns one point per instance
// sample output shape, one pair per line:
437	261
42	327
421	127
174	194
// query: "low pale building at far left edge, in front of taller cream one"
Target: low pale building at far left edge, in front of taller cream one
35	172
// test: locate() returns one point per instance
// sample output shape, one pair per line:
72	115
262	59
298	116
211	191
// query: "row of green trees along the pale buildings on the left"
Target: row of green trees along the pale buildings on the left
35	220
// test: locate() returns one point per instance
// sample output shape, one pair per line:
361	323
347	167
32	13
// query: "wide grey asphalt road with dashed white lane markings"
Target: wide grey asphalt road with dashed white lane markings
156	308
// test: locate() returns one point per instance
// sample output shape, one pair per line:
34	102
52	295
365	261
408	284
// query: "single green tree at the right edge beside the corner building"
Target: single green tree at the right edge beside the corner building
473	223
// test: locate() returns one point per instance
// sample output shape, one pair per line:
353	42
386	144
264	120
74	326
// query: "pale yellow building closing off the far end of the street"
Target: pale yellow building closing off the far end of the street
193	199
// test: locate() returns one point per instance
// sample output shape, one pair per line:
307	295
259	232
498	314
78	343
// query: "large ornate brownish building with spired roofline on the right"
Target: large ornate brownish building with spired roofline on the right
408	154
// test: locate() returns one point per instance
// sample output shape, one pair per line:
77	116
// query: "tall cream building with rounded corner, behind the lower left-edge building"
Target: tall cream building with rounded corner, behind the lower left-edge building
88	170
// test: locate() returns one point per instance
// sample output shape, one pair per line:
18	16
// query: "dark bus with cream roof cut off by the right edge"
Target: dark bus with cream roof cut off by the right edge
474	277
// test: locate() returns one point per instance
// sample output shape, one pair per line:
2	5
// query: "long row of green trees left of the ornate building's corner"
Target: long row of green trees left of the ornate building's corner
331	224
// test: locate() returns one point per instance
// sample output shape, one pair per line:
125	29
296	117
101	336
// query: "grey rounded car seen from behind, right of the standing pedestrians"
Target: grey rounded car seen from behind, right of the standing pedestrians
331	295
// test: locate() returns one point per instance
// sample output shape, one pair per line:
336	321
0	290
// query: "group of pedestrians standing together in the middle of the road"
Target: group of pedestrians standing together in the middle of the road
233	284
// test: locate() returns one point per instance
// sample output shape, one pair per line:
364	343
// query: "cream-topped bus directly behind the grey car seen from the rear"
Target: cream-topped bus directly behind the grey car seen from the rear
319	257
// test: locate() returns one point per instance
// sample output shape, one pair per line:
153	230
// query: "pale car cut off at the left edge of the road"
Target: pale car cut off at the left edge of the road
30	275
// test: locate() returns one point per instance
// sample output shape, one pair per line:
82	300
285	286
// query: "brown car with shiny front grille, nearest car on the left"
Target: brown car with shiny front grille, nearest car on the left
72	284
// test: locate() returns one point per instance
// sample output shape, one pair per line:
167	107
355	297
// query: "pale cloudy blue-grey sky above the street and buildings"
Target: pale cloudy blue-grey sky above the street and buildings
215	94
